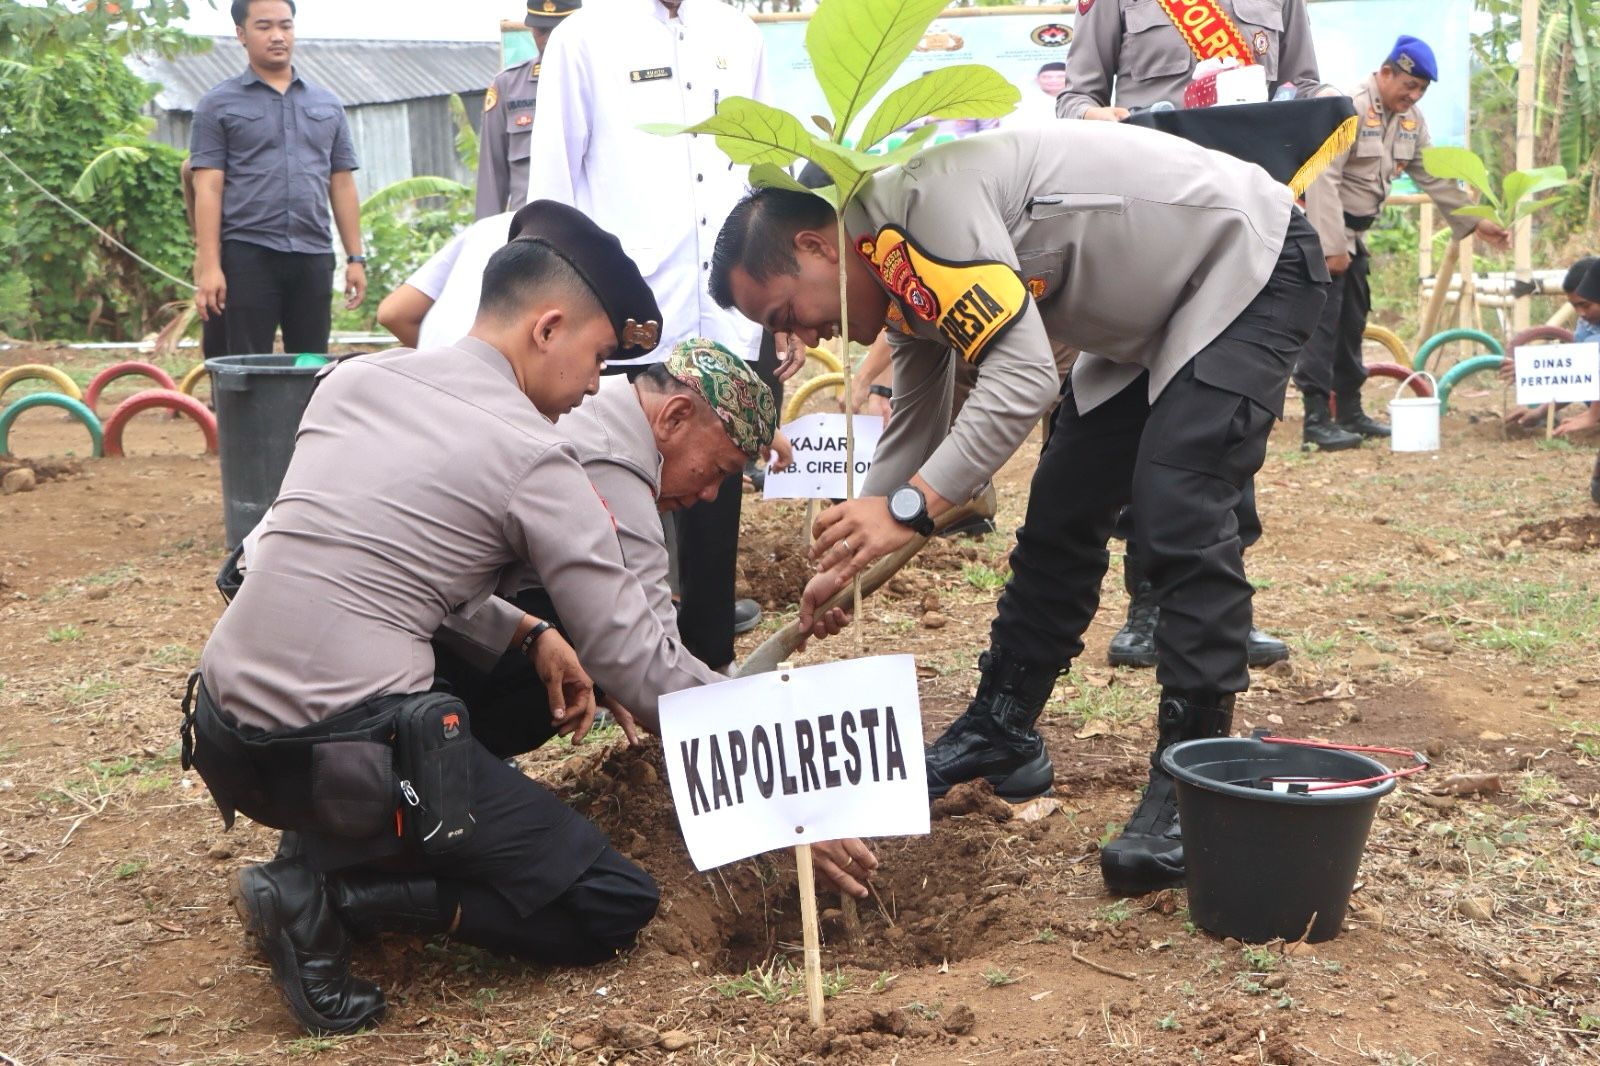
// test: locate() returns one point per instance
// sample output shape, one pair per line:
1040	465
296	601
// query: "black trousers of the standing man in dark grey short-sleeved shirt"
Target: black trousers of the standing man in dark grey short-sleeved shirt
273	289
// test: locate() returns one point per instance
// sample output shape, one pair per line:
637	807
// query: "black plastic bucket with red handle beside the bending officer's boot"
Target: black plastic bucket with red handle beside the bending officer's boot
1263	860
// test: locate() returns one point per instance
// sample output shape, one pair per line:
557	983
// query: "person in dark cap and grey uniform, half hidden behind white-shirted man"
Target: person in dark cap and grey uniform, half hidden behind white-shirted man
508	118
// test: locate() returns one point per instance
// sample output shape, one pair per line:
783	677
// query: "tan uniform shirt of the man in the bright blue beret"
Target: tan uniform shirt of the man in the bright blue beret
1358	183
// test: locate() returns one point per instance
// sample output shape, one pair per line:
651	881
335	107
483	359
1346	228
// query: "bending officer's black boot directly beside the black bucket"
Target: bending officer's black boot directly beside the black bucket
1150	854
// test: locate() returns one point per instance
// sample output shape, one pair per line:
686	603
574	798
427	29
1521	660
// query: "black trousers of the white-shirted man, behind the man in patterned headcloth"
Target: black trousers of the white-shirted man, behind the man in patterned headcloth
710	551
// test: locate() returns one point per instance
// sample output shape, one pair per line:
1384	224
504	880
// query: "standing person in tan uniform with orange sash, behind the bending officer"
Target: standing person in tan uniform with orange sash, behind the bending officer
1129	55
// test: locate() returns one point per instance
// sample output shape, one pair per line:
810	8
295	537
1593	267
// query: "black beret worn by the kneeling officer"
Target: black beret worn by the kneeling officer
606	268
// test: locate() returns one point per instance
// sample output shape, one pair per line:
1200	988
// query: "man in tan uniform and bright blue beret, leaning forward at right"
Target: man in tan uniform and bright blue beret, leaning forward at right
1345	202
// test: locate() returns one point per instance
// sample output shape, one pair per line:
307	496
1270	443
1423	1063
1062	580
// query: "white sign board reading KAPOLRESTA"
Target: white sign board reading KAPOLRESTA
798	756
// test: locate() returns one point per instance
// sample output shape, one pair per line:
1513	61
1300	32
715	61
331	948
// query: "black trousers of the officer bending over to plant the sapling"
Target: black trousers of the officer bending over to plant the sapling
1185	465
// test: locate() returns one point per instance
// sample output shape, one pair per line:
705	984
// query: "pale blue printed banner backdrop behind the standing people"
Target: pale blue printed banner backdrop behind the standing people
1353	38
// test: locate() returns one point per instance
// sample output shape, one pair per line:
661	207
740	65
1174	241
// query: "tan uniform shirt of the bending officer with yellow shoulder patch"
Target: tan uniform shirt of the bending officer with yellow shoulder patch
1134	244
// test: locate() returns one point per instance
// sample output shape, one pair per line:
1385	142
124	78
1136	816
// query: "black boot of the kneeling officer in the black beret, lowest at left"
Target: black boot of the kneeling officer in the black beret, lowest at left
287	908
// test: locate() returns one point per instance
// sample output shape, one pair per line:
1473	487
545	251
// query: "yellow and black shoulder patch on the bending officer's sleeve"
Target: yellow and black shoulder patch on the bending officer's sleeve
970	303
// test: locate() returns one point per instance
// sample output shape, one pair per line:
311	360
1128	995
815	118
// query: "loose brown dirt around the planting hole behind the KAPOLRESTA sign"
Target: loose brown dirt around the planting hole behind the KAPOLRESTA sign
746	913
